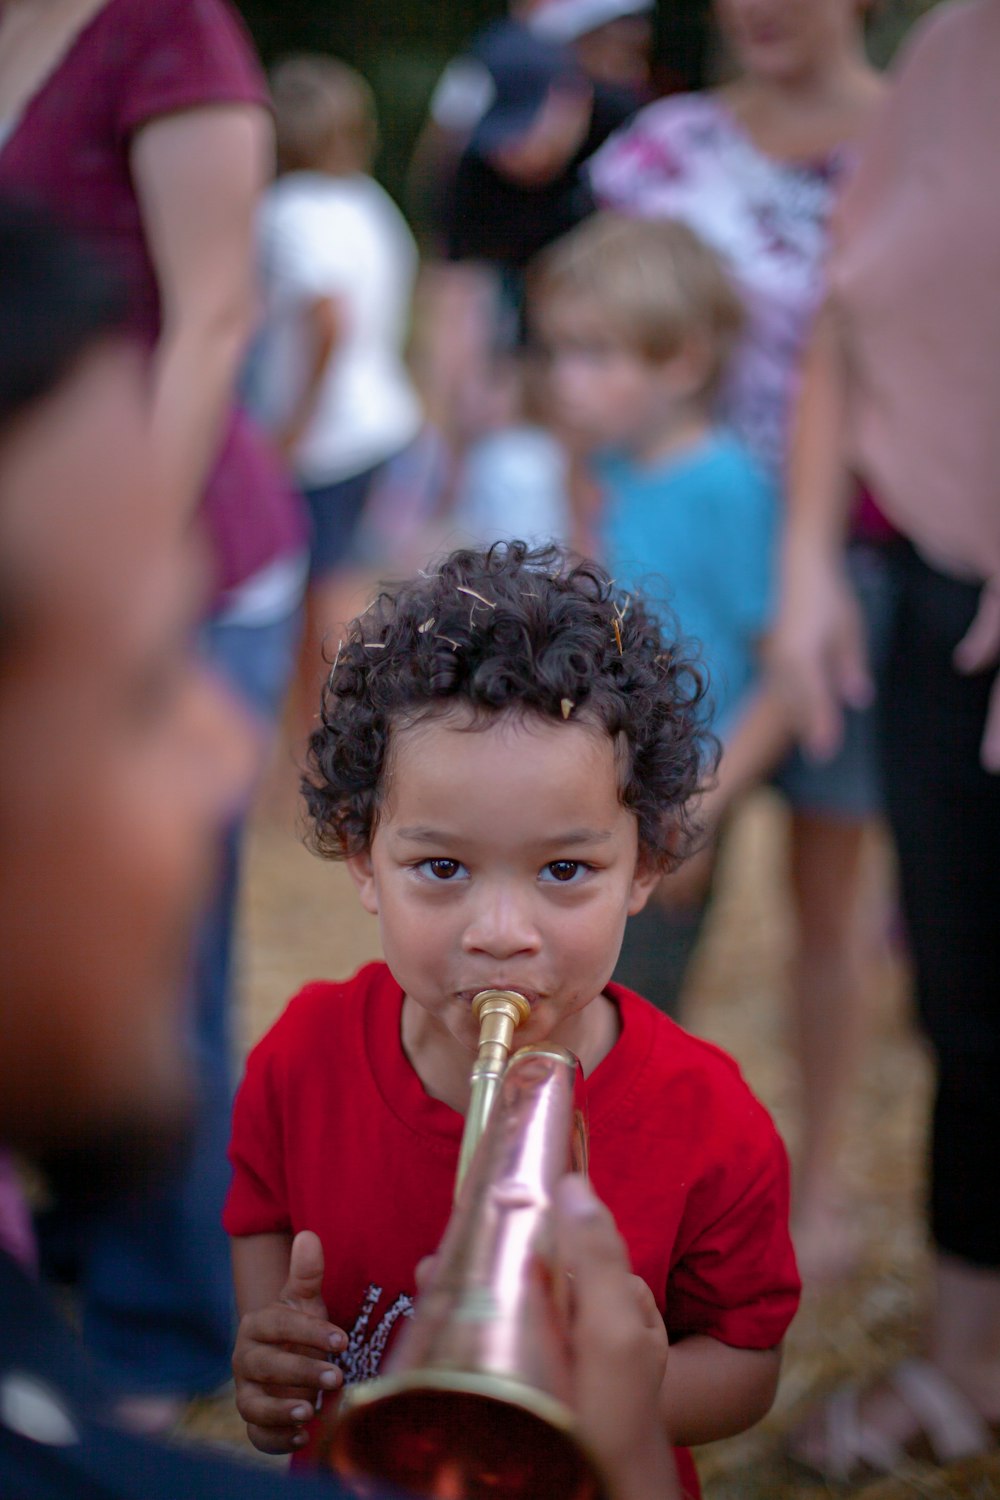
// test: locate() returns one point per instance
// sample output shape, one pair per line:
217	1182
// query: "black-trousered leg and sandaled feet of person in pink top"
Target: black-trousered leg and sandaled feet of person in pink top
945	814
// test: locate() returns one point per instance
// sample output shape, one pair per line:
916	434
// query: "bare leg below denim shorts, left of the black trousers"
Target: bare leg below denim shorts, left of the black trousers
828	1027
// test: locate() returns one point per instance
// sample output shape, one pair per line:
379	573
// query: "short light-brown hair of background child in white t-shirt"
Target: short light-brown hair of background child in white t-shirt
325	116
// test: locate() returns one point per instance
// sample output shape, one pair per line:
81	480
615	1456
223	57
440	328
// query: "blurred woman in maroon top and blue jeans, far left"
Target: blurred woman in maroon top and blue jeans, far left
145	127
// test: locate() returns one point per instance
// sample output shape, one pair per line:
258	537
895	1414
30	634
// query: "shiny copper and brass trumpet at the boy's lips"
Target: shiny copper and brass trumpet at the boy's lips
475	1399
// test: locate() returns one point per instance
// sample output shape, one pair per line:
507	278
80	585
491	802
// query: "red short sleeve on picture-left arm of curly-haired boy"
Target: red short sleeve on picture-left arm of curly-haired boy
257	1202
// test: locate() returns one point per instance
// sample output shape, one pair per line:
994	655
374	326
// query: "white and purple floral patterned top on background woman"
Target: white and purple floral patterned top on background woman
689	158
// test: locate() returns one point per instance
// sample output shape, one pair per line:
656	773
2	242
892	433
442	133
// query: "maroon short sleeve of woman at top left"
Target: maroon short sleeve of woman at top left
184	55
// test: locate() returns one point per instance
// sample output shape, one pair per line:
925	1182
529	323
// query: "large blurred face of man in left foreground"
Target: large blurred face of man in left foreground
119	764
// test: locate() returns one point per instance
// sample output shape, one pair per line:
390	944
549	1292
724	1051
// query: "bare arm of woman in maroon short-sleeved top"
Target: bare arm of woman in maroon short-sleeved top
199	176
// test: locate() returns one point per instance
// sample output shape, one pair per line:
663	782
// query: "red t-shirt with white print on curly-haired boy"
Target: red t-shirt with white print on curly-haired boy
334	1132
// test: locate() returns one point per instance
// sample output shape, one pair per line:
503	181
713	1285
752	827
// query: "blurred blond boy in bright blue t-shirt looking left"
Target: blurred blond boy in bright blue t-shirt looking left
638	322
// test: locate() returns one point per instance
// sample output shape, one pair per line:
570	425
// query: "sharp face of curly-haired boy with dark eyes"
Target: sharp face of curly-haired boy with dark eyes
503	860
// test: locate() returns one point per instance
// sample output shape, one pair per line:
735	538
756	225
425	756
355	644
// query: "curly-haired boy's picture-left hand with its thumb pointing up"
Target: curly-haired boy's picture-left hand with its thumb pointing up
283	1355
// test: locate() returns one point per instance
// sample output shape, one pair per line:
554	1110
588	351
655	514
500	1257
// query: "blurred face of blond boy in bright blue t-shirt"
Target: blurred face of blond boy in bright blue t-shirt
600	391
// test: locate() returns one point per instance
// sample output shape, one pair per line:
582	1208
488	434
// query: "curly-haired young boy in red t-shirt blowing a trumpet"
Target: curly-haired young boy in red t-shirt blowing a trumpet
506	758
